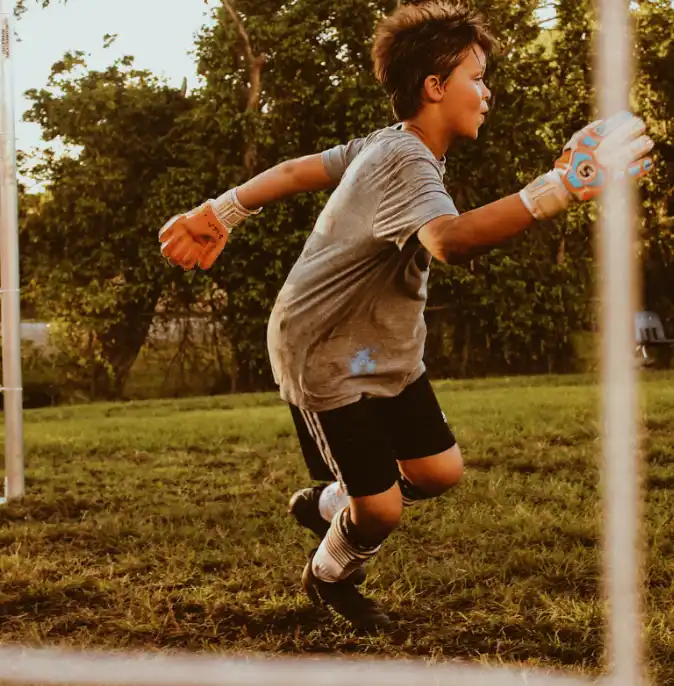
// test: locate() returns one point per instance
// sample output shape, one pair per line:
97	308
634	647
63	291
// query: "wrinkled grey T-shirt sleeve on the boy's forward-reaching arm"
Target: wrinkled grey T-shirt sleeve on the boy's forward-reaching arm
415	196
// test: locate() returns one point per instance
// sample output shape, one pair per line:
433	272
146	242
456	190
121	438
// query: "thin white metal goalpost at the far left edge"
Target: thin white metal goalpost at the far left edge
9	266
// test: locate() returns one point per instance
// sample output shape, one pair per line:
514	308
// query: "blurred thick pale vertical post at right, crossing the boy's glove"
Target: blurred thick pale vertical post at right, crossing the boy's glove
618	278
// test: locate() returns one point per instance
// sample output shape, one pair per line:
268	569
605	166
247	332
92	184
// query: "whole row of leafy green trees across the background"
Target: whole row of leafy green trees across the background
148	151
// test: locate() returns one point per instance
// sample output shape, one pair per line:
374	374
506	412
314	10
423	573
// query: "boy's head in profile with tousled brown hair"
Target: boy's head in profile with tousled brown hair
435	52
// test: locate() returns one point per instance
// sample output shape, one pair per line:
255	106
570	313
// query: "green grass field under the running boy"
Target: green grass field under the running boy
162	525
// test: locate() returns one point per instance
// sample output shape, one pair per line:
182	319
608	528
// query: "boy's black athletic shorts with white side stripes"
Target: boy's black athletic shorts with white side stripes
359	444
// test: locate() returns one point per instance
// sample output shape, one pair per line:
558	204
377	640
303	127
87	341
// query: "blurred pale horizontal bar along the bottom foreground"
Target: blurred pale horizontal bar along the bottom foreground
52	666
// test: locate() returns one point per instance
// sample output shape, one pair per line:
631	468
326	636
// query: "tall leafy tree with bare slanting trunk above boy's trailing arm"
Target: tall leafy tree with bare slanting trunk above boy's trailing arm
315	90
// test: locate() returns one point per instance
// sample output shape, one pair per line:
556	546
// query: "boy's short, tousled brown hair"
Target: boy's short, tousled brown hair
422	39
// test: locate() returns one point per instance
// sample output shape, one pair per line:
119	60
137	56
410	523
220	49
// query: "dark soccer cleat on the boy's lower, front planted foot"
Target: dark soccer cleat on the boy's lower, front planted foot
344	599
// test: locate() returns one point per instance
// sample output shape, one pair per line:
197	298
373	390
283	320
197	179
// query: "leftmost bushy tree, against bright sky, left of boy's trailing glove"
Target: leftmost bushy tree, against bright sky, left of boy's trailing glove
90	254
